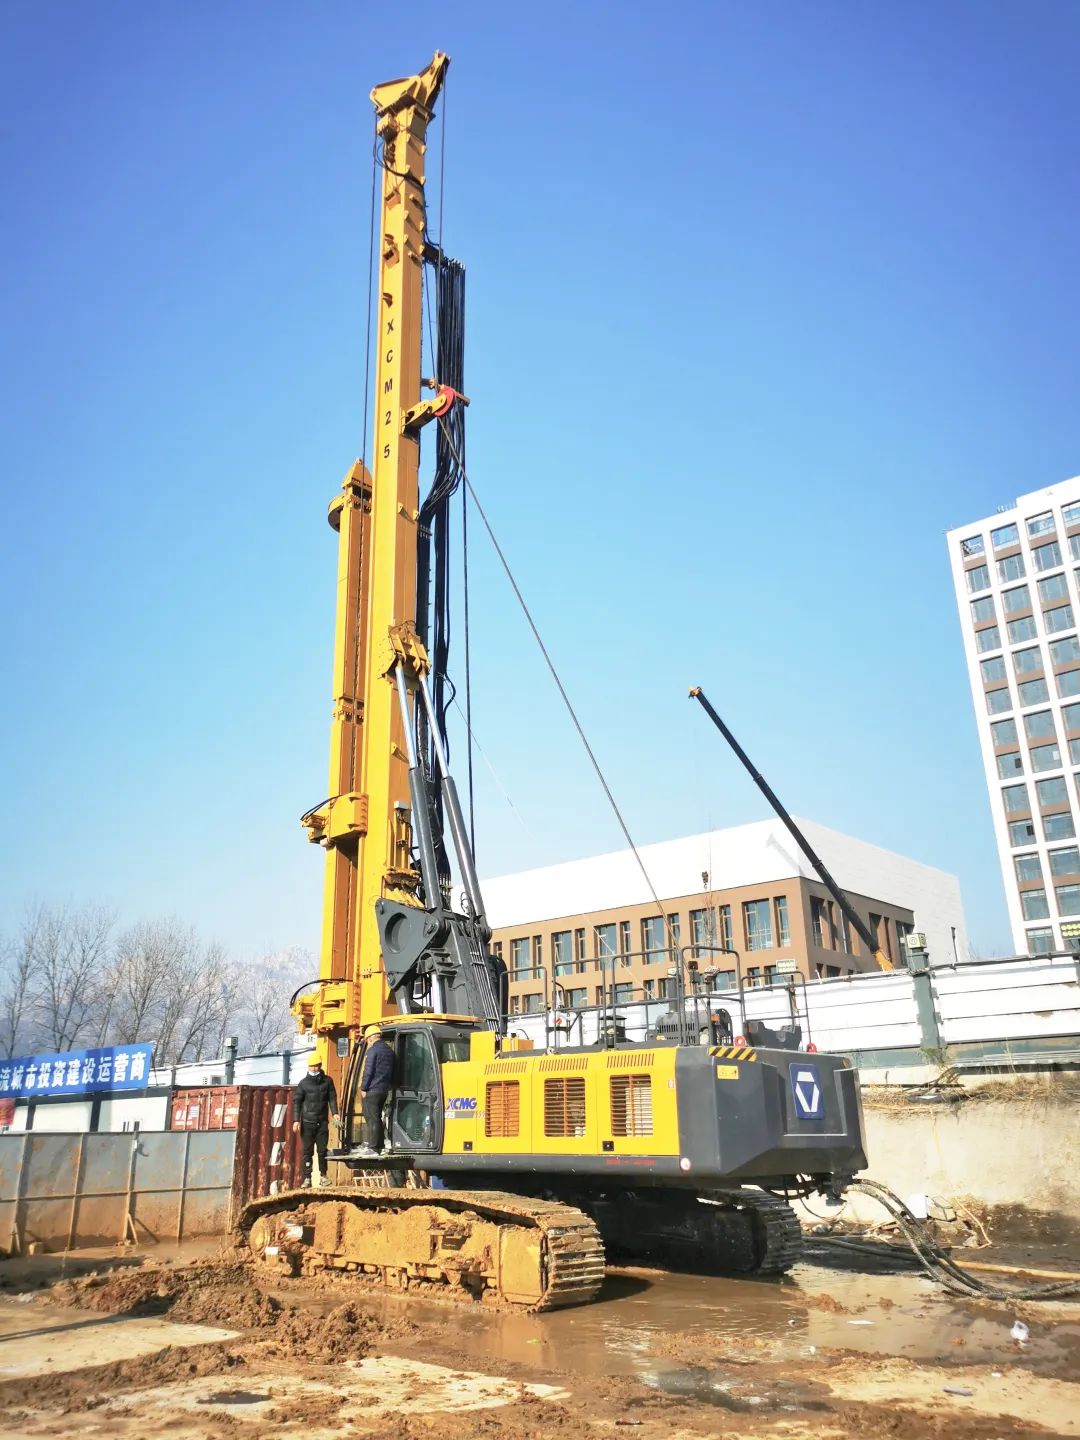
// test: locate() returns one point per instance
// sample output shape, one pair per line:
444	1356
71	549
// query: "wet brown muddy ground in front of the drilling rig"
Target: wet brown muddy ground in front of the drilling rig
198	1347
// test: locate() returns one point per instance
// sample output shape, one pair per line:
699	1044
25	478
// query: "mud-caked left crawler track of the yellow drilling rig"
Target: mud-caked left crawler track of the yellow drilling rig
510	1251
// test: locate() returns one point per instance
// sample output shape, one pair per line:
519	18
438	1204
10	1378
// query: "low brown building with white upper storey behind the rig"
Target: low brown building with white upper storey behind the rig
590	931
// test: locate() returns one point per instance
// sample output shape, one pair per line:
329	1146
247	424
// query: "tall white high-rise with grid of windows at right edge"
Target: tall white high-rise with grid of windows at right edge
1017	588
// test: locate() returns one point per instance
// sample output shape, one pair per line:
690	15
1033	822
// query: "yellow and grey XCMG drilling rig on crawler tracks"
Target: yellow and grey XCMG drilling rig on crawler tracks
680	1153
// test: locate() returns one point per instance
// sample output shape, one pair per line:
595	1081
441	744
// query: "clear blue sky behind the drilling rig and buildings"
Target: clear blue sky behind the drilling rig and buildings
762	299
